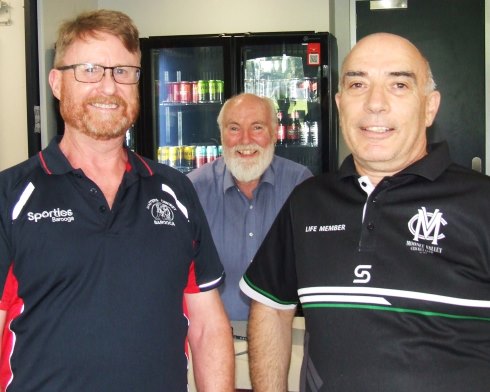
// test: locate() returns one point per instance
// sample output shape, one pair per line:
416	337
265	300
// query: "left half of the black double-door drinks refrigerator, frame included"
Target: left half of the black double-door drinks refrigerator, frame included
185	81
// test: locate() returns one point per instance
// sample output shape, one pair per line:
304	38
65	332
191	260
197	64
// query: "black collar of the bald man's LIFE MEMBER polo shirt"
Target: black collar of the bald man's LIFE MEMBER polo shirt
430	166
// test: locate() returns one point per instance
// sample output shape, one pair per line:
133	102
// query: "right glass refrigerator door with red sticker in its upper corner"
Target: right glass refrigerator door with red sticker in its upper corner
289	71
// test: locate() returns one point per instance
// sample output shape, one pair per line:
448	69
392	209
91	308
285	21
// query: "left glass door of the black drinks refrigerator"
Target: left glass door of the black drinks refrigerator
188	91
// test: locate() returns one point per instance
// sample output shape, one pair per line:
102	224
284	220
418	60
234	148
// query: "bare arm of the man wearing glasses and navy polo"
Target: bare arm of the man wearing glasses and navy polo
211	342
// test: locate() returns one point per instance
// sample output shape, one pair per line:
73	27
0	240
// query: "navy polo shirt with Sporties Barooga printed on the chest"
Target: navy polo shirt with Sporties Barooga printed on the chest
103	289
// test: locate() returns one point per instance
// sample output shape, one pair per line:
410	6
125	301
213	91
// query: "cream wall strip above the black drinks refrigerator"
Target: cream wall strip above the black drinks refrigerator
167	17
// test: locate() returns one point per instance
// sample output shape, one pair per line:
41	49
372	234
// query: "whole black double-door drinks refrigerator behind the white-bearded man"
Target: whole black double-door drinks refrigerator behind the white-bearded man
186	79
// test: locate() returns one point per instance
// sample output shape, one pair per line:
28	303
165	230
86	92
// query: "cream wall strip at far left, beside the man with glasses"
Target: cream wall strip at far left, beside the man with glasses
13	121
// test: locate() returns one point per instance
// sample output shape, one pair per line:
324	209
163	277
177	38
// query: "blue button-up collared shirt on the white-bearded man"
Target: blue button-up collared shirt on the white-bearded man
239	225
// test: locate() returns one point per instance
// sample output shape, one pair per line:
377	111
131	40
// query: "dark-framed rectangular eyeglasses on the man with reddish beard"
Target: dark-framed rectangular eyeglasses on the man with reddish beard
94	73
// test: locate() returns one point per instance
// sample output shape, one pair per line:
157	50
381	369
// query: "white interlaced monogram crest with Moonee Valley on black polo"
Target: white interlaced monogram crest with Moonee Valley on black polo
426	226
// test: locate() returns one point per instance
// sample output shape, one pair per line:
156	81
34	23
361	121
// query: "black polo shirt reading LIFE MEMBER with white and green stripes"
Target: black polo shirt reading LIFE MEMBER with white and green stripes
396	301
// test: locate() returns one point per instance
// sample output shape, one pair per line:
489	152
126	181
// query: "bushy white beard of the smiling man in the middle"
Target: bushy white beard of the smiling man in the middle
246	170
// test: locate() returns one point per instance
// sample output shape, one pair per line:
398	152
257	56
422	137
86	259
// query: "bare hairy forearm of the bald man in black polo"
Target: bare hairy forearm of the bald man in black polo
269	347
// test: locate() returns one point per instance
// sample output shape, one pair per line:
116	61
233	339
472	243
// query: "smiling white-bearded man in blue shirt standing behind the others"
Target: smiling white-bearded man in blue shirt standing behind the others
242	192
